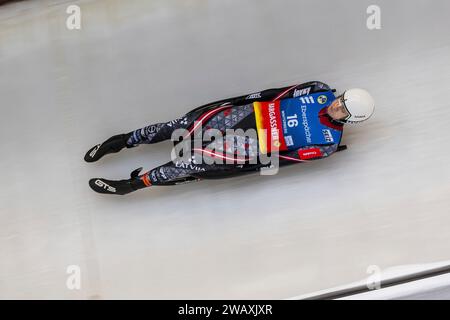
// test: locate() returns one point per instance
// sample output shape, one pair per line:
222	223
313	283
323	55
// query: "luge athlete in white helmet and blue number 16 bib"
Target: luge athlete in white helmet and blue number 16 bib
301	123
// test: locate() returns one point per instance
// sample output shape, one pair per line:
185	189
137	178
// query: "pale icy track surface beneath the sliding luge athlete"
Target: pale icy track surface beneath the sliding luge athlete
385	201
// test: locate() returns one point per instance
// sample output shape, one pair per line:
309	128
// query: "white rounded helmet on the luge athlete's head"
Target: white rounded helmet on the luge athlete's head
359	105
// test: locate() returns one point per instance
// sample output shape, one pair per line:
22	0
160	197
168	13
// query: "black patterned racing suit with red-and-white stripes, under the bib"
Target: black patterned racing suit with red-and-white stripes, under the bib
234	113
